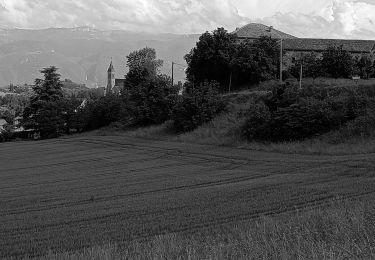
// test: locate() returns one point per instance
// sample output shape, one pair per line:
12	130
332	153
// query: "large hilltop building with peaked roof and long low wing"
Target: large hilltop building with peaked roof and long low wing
295	48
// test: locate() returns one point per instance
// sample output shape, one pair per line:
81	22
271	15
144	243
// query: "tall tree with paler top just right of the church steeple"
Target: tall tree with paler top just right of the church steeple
147	97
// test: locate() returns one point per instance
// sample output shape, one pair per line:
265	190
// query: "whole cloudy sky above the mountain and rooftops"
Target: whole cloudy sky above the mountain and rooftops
303	18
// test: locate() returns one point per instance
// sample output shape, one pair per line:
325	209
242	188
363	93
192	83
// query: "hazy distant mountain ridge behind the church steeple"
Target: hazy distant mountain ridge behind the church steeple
82	54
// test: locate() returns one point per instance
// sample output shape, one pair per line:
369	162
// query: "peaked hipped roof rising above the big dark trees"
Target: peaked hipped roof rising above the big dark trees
256	30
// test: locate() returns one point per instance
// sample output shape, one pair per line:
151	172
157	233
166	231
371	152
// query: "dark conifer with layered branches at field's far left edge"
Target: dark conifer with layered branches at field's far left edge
44	112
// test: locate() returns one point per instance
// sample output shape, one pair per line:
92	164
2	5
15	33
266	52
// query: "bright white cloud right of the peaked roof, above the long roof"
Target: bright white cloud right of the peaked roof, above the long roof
338	19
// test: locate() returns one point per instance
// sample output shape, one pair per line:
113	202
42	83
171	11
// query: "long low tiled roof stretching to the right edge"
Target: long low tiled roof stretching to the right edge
304	44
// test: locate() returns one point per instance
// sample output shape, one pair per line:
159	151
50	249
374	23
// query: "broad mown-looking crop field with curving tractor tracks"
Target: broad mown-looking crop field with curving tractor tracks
71	193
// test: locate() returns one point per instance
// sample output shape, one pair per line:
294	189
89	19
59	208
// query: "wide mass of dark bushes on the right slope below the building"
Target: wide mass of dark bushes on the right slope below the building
293	114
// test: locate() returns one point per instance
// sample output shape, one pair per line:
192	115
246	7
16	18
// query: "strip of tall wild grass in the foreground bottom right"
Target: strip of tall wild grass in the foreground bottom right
339	230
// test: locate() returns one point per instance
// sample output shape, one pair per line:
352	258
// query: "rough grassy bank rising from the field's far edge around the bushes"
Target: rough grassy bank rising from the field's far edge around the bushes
225	129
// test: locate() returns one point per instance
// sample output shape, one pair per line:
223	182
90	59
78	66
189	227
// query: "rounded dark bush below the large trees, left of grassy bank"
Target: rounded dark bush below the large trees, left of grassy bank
197	105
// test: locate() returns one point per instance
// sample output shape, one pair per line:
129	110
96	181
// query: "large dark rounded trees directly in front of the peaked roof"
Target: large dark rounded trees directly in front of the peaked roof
219	56
